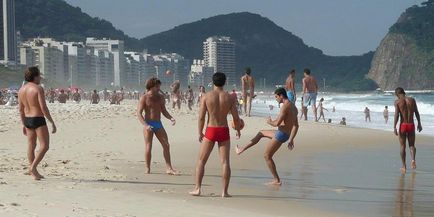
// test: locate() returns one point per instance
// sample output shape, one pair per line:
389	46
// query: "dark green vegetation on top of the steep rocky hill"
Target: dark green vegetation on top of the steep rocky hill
418	23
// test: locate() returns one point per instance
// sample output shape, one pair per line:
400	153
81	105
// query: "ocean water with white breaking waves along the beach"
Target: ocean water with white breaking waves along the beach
351	106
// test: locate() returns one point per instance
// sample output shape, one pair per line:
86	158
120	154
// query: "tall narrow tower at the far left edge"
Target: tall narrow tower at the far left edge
8	34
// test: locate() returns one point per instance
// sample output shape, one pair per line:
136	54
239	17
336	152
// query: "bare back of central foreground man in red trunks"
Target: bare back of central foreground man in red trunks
218	104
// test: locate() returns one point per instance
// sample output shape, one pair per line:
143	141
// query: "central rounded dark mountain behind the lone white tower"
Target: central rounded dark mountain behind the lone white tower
270	50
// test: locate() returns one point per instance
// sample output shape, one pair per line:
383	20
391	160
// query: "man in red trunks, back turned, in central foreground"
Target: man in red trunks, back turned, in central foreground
217	103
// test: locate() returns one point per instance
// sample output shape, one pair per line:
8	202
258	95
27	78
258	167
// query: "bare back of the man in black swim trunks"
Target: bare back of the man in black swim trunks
29	97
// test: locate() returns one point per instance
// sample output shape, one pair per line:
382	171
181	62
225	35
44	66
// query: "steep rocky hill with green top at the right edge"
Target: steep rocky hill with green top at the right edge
405	56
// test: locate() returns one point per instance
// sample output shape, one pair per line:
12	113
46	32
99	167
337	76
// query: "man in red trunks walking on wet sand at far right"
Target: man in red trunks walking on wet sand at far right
405	110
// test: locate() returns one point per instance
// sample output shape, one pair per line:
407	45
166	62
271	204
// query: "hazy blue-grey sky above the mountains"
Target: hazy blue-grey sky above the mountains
338	27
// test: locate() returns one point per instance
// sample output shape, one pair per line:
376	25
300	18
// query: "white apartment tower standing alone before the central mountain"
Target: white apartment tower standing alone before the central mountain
219	53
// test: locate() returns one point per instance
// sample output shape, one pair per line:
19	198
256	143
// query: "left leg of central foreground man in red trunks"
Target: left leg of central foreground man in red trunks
204	152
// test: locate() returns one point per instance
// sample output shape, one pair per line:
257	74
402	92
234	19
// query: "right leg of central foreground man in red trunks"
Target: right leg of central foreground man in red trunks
224	151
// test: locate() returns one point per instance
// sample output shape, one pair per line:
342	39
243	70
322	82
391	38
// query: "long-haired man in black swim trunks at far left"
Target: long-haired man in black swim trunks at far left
33	110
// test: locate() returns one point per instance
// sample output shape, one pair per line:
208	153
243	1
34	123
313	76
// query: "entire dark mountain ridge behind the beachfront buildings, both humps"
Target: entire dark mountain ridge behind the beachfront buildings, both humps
270	50
